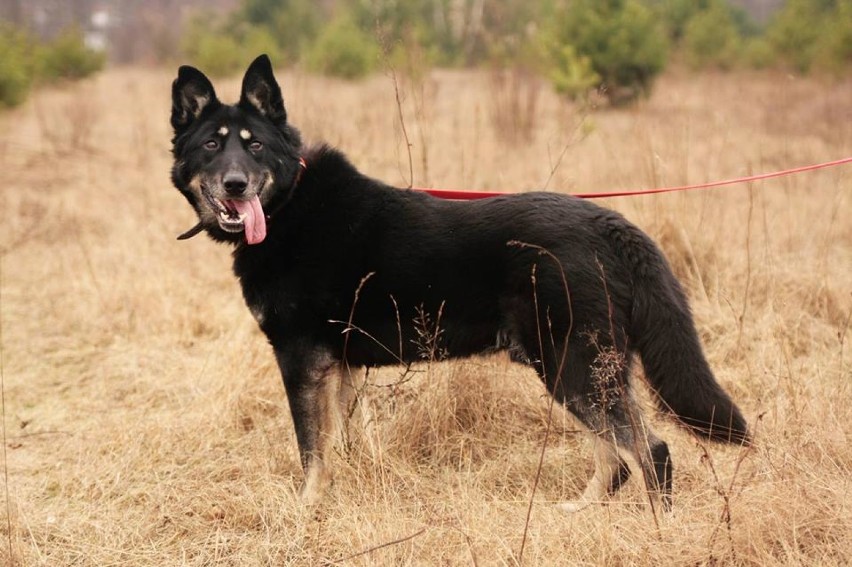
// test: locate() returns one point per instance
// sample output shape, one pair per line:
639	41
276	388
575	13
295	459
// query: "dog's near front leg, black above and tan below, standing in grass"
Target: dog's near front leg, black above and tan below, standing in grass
312	381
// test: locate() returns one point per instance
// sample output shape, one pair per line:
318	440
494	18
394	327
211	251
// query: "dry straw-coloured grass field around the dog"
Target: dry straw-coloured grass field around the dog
145	422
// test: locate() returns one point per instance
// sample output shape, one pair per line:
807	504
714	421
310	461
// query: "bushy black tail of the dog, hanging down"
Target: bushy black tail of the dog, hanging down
663	332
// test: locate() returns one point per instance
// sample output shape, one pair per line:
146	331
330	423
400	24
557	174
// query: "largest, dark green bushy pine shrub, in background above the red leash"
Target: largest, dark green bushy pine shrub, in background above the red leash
626	47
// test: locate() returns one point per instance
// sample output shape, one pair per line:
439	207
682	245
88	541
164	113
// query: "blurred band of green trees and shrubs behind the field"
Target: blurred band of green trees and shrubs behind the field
613	47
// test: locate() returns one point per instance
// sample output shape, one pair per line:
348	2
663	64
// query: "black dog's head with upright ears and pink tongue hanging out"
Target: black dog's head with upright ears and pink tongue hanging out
233	162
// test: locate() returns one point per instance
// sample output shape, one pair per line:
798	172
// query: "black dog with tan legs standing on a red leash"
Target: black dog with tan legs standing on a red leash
342	271
